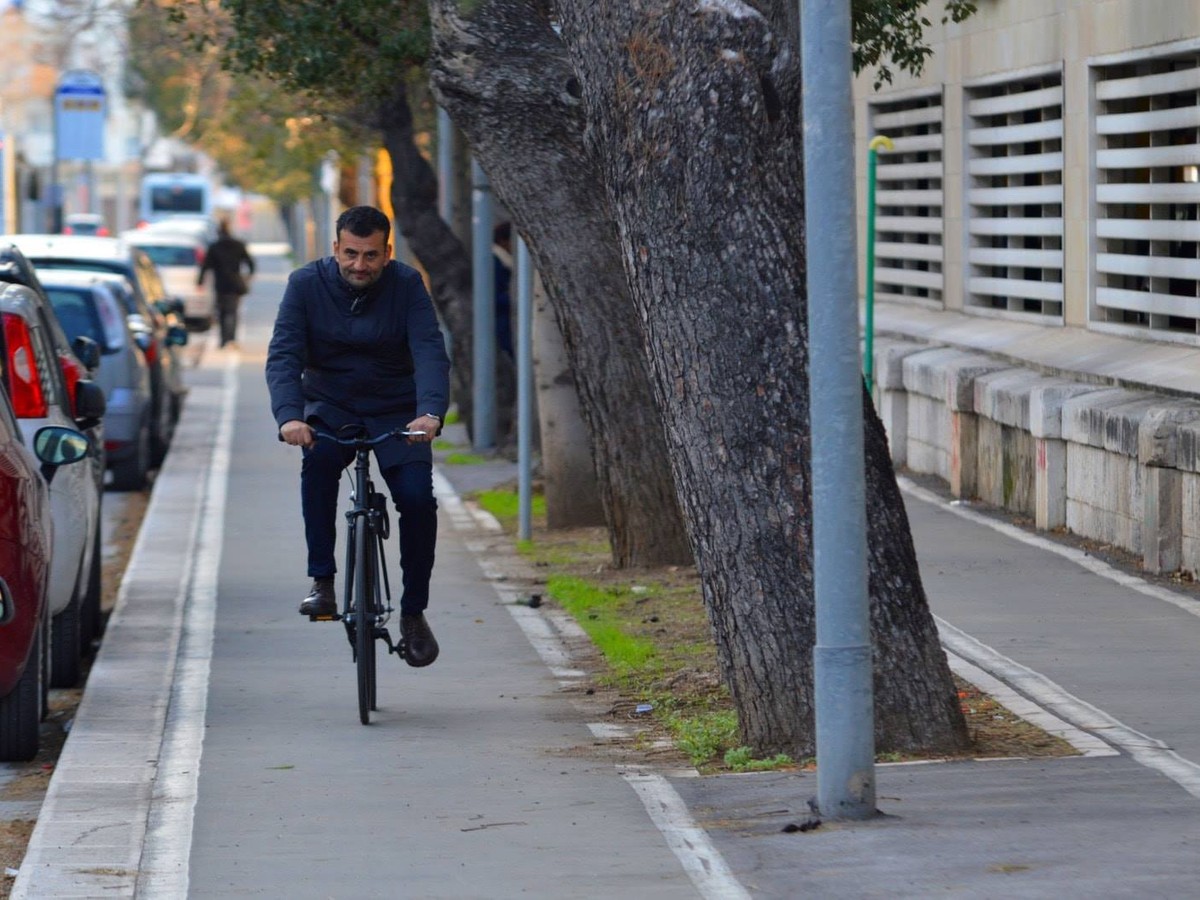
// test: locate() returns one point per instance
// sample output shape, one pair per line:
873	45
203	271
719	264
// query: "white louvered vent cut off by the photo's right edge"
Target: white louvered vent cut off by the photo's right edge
1148	194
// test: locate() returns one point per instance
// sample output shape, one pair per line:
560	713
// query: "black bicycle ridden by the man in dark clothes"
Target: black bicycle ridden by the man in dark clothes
367	598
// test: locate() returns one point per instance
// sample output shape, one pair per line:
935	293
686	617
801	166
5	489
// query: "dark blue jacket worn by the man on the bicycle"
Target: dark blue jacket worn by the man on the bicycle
383	365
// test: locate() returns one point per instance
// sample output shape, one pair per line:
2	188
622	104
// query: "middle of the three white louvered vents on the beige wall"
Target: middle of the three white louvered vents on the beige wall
1015	197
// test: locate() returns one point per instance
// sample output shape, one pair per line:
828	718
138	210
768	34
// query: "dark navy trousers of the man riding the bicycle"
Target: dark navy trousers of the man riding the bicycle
412	491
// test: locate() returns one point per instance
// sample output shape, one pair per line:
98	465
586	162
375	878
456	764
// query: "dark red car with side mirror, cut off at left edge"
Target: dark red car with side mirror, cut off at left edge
26	542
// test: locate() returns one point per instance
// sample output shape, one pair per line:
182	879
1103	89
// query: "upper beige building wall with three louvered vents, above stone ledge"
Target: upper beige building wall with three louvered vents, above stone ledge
1046	167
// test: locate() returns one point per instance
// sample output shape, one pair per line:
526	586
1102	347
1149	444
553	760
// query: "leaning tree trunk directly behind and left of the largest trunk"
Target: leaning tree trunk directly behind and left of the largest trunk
505	79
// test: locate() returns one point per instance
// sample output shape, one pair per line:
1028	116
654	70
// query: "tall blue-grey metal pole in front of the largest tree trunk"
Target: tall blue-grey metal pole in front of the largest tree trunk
843	653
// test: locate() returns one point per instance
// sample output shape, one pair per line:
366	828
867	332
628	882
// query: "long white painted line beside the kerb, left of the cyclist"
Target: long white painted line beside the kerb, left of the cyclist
169	845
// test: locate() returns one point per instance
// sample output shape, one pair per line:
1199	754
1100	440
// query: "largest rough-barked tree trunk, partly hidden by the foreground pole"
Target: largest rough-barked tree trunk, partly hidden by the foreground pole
693	115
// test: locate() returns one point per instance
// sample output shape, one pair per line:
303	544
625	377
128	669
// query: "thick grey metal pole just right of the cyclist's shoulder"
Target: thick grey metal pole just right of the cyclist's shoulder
483	370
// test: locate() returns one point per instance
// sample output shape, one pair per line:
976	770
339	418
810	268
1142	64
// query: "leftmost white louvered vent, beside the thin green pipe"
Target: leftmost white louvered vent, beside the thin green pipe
909	200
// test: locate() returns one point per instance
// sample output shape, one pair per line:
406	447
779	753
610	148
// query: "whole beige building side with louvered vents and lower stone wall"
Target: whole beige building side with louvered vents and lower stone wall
1037	266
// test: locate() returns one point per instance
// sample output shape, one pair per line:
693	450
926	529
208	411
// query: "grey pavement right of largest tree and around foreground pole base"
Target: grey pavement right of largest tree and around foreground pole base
1106	825
